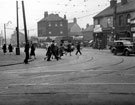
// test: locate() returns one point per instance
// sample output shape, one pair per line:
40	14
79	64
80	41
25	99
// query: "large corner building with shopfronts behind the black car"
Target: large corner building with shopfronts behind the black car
114	22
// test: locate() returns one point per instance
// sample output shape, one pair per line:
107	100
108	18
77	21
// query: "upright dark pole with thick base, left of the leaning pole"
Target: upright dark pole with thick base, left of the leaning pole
17	31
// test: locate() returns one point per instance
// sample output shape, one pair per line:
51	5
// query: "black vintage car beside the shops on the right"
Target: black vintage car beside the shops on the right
124	47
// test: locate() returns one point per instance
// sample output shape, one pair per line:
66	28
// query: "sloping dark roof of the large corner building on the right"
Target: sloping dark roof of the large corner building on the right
120	8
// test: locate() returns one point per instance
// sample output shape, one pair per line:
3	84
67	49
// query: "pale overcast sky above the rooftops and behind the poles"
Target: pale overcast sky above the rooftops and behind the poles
83	10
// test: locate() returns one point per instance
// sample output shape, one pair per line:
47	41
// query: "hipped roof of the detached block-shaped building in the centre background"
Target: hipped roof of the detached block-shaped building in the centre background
52	17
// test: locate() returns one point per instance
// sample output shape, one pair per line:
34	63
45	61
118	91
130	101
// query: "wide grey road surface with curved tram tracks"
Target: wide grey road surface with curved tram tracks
95	78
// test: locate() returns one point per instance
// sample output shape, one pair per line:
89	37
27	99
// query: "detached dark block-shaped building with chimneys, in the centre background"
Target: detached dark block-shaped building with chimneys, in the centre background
52	25
